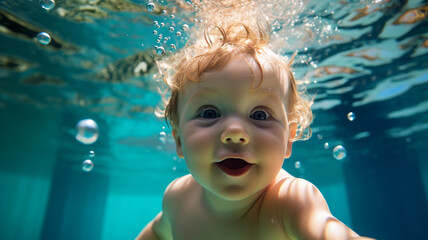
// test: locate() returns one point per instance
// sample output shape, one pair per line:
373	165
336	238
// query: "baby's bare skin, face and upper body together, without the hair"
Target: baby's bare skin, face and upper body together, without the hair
222	118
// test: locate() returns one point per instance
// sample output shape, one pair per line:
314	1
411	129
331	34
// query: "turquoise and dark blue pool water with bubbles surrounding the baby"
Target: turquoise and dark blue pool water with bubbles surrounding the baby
83	155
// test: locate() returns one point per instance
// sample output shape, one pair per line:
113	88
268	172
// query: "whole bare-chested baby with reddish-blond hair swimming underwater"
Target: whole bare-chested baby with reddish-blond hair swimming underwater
235	112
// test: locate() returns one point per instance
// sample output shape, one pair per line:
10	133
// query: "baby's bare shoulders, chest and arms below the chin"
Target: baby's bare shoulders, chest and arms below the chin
285	210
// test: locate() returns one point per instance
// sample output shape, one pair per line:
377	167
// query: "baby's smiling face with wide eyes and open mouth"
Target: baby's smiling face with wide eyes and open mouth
233	138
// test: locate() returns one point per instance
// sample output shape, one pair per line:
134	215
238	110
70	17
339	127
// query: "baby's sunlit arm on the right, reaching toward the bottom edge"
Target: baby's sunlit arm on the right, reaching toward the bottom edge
306	215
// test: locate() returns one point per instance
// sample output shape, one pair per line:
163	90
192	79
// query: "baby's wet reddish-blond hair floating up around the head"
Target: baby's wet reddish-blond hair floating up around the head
212	51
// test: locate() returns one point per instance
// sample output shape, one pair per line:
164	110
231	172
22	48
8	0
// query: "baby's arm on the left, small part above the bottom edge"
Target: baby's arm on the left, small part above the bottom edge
157	229
